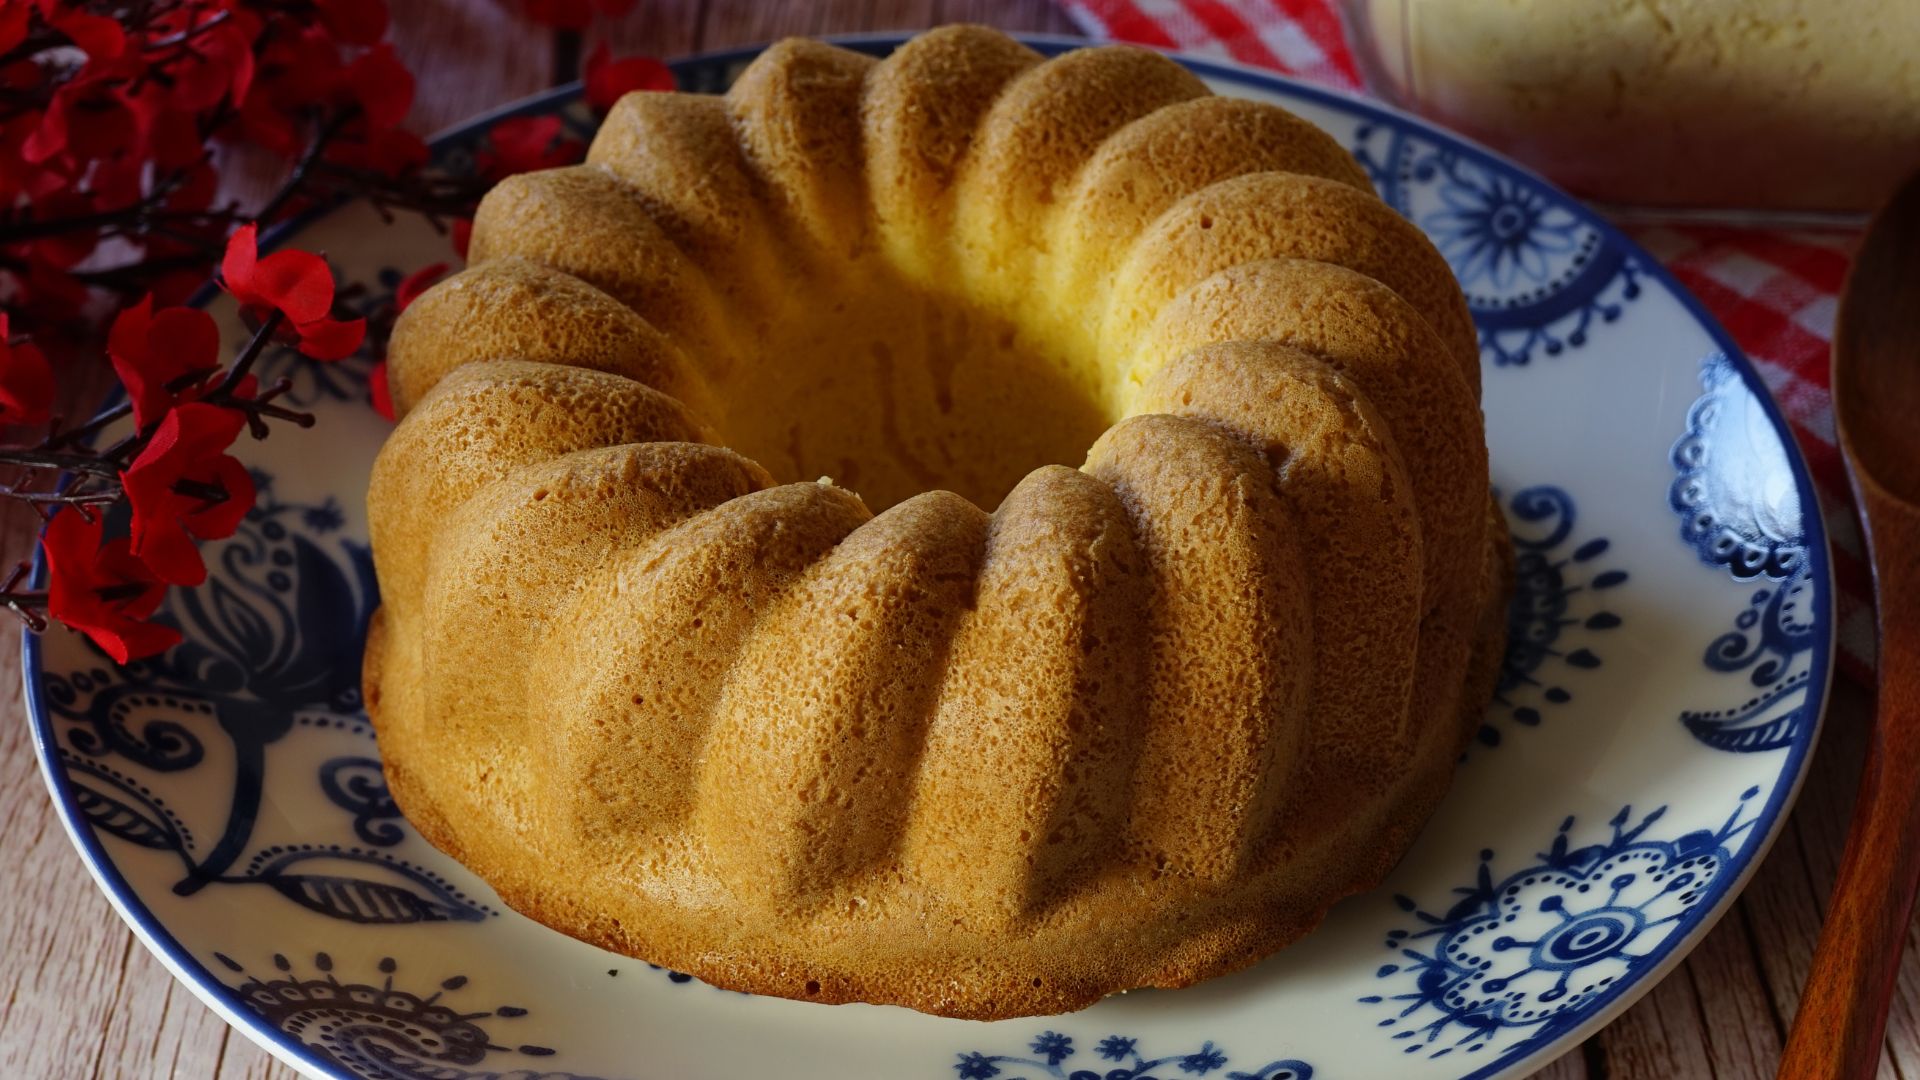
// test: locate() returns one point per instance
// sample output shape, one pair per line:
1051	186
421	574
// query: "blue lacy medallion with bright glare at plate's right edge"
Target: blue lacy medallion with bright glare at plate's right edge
1735	483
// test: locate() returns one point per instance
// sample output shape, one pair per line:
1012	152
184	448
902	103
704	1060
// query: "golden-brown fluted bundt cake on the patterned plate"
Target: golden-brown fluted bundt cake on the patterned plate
671	691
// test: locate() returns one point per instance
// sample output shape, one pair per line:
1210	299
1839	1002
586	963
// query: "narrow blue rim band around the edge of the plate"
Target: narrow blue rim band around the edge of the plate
222	998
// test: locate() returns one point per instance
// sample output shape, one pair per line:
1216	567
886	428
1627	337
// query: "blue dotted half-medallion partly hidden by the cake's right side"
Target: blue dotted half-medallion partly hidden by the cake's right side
1558	610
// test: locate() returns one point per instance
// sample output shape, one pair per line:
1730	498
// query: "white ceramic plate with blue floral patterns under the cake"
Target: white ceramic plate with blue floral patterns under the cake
1669	664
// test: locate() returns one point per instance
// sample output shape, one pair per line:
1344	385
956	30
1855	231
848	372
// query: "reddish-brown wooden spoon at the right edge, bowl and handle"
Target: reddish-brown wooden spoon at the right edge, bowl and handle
1877	399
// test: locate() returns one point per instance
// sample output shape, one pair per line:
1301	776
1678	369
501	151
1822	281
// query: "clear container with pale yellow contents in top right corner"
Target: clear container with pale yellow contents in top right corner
1777	105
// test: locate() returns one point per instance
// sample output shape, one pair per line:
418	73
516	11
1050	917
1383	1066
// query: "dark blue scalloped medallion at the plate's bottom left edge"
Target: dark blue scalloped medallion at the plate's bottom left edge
381	1031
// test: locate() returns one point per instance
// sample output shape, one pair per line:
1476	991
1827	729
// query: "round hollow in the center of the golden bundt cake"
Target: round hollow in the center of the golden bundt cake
890	393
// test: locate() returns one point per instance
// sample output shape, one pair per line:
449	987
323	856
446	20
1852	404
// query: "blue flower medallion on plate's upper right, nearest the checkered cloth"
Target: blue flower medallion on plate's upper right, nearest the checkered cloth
1541	276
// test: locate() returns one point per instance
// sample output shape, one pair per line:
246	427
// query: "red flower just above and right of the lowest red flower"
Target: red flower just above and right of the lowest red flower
185	485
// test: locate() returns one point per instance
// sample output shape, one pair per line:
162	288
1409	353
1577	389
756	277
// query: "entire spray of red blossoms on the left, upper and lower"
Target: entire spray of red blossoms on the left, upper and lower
114	122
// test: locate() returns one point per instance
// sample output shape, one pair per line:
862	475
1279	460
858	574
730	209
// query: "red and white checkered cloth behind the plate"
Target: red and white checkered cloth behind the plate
1773	291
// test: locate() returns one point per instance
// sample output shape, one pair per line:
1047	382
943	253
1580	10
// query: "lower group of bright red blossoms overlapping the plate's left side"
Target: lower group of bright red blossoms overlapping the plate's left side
174	474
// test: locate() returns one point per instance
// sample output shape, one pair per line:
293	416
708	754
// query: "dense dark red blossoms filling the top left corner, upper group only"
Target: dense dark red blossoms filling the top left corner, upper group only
112	114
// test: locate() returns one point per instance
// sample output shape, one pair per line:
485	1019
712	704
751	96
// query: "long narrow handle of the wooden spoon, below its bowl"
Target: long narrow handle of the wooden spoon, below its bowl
1842	1016
